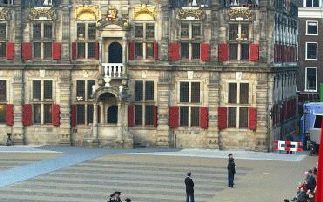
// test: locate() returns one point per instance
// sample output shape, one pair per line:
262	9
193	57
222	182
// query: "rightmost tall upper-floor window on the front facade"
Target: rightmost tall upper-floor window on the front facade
239	41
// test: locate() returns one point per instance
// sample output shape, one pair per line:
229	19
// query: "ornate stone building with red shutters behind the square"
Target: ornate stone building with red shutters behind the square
121	73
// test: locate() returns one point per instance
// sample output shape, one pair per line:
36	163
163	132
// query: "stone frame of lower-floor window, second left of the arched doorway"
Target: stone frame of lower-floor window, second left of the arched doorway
42	102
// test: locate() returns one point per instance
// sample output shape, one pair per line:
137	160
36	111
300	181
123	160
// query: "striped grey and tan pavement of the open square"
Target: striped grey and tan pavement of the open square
91	174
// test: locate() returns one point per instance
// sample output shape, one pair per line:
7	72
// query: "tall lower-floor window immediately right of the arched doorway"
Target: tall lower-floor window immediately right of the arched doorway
144	102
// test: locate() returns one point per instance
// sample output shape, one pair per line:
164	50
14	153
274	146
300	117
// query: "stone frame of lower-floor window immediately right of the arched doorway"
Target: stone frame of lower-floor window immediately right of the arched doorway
143	103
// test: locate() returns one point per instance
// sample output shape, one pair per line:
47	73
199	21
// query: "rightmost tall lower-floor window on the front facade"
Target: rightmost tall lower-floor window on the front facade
238	100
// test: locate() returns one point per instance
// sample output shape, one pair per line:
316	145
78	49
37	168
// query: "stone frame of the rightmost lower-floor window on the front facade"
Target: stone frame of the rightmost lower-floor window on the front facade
238	105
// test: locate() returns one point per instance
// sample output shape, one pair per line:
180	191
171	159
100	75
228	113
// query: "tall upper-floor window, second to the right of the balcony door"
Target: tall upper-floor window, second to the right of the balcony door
191	35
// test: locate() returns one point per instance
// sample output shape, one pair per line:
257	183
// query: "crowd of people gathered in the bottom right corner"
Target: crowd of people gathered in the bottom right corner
306	189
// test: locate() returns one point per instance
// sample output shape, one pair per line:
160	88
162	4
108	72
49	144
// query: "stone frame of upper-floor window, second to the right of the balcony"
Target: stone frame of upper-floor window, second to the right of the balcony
190	40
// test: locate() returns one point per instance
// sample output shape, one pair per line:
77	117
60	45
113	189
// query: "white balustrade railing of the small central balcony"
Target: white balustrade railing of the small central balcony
113	70
